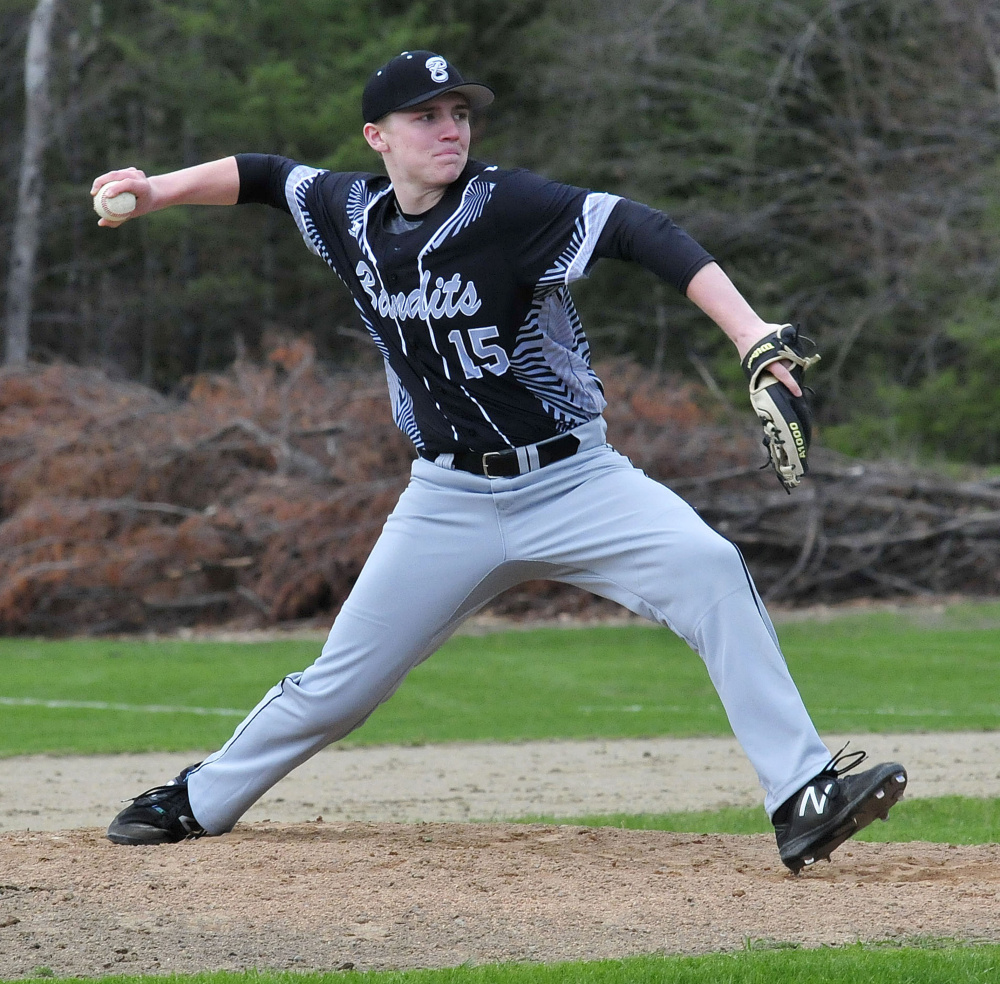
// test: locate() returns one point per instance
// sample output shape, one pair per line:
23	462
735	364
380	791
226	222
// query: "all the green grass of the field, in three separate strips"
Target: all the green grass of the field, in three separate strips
864	673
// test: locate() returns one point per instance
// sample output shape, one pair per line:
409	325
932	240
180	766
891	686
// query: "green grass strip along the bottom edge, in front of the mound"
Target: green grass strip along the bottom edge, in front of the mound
762	962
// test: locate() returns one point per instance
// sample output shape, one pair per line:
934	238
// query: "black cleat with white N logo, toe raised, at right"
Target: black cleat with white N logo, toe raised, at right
833	807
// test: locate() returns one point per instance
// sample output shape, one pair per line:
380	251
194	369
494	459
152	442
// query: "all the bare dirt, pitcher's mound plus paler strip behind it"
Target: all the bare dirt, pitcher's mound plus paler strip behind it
361	888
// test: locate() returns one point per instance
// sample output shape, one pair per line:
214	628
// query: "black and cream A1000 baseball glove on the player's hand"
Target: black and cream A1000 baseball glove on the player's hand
787	419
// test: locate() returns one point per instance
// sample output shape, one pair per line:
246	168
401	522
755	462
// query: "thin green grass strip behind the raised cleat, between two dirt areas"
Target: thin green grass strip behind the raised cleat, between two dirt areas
942	820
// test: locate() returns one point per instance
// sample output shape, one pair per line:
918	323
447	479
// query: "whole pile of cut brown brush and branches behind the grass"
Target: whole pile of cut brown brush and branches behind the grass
254	500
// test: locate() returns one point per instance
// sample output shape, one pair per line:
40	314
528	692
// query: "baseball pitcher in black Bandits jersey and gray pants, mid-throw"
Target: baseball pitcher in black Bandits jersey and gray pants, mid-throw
461	271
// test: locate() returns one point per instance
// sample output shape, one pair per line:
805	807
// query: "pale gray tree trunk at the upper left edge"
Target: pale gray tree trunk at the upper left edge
24	244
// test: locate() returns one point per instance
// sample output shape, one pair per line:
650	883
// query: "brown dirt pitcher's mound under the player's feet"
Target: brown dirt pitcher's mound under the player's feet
384	895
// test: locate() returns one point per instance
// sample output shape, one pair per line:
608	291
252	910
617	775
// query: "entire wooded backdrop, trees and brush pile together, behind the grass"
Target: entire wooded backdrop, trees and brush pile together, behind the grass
193	427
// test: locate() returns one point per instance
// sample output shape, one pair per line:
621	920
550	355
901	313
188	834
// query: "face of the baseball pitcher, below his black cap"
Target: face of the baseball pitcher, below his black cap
428	144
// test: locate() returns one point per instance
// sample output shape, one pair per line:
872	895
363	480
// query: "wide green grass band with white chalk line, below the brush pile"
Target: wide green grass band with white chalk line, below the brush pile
859	673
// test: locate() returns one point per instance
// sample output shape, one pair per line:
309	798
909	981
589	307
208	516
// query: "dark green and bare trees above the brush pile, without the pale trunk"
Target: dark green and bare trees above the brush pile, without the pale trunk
839	157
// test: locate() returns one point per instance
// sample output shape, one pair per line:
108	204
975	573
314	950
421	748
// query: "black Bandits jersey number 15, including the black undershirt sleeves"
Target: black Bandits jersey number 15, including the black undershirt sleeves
469	303
